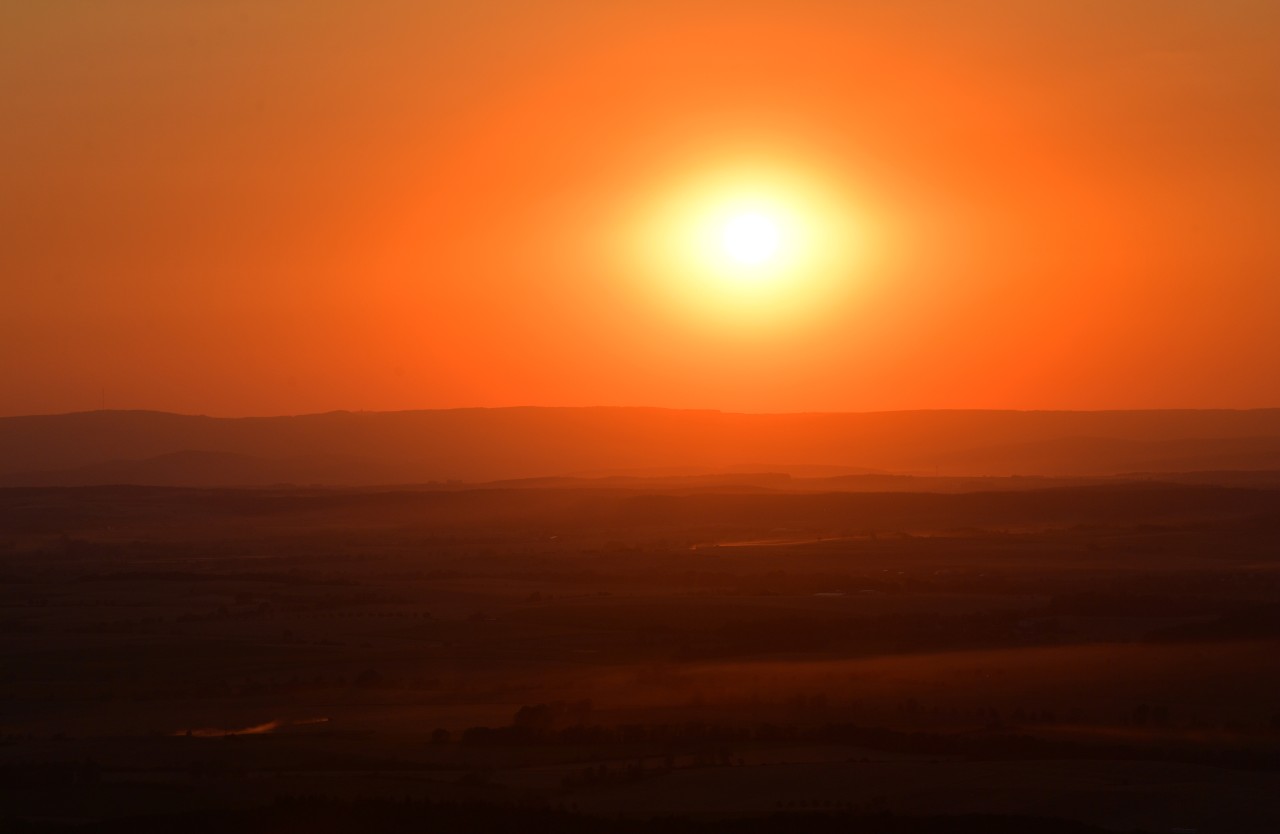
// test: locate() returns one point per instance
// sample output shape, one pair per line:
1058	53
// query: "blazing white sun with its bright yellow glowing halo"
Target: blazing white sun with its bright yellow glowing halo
751	248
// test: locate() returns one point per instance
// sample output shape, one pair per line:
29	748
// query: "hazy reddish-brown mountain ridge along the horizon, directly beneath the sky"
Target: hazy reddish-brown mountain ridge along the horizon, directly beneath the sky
492	445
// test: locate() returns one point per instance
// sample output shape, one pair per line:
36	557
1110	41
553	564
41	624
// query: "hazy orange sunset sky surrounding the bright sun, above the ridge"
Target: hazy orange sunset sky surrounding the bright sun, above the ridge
243	208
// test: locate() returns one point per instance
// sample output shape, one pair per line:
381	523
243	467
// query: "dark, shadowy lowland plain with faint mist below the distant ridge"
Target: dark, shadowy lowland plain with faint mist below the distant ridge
705	659
